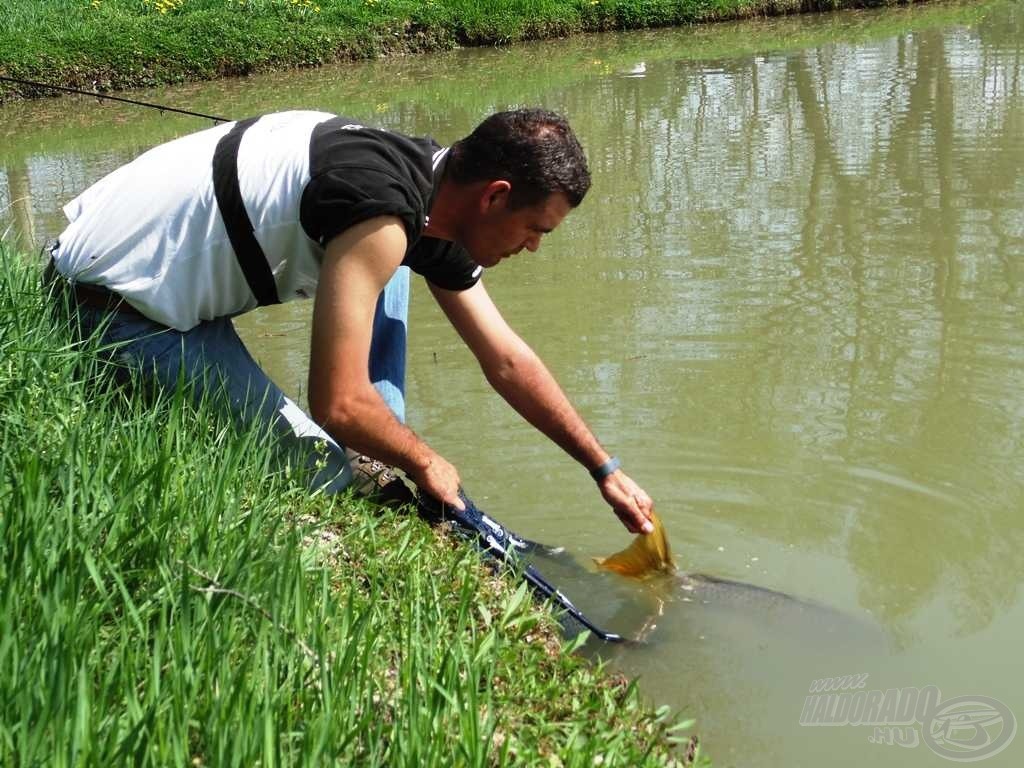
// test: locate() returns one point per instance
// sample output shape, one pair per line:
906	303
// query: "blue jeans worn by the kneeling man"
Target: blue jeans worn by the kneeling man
214	359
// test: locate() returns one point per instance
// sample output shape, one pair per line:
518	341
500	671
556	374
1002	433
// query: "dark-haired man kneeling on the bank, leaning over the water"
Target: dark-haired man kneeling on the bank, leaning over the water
165	250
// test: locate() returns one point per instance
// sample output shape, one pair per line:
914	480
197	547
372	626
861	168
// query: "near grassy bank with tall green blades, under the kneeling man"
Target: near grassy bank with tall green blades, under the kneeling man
170	596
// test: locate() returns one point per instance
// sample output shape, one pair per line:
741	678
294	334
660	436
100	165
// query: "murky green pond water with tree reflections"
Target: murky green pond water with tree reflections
793	305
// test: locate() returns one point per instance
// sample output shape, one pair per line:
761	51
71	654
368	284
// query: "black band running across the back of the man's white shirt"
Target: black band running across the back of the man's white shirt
233	210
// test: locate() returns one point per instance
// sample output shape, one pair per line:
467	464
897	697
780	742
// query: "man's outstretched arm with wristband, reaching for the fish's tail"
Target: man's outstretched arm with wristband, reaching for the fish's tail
522	378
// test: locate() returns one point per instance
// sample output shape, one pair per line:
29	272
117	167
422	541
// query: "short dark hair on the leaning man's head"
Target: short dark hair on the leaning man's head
533	150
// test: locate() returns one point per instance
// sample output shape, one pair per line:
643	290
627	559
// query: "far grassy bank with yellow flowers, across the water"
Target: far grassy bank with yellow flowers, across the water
114	45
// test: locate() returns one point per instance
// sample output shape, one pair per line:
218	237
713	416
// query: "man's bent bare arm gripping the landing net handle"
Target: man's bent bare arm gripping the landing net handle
357	266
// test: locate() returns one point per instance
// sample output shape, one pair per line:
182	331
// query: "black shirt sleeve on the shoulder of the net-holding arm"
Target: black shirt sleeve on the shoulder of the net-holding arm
343	197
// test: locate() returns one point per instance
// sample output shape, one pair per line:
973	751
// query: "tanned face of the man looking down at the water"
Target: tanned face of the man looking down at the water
500	232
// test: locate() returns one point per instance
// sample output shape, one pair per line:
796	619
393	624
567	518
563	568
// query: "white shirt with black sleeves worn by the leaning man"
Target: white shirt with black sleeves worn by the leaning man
153	231
